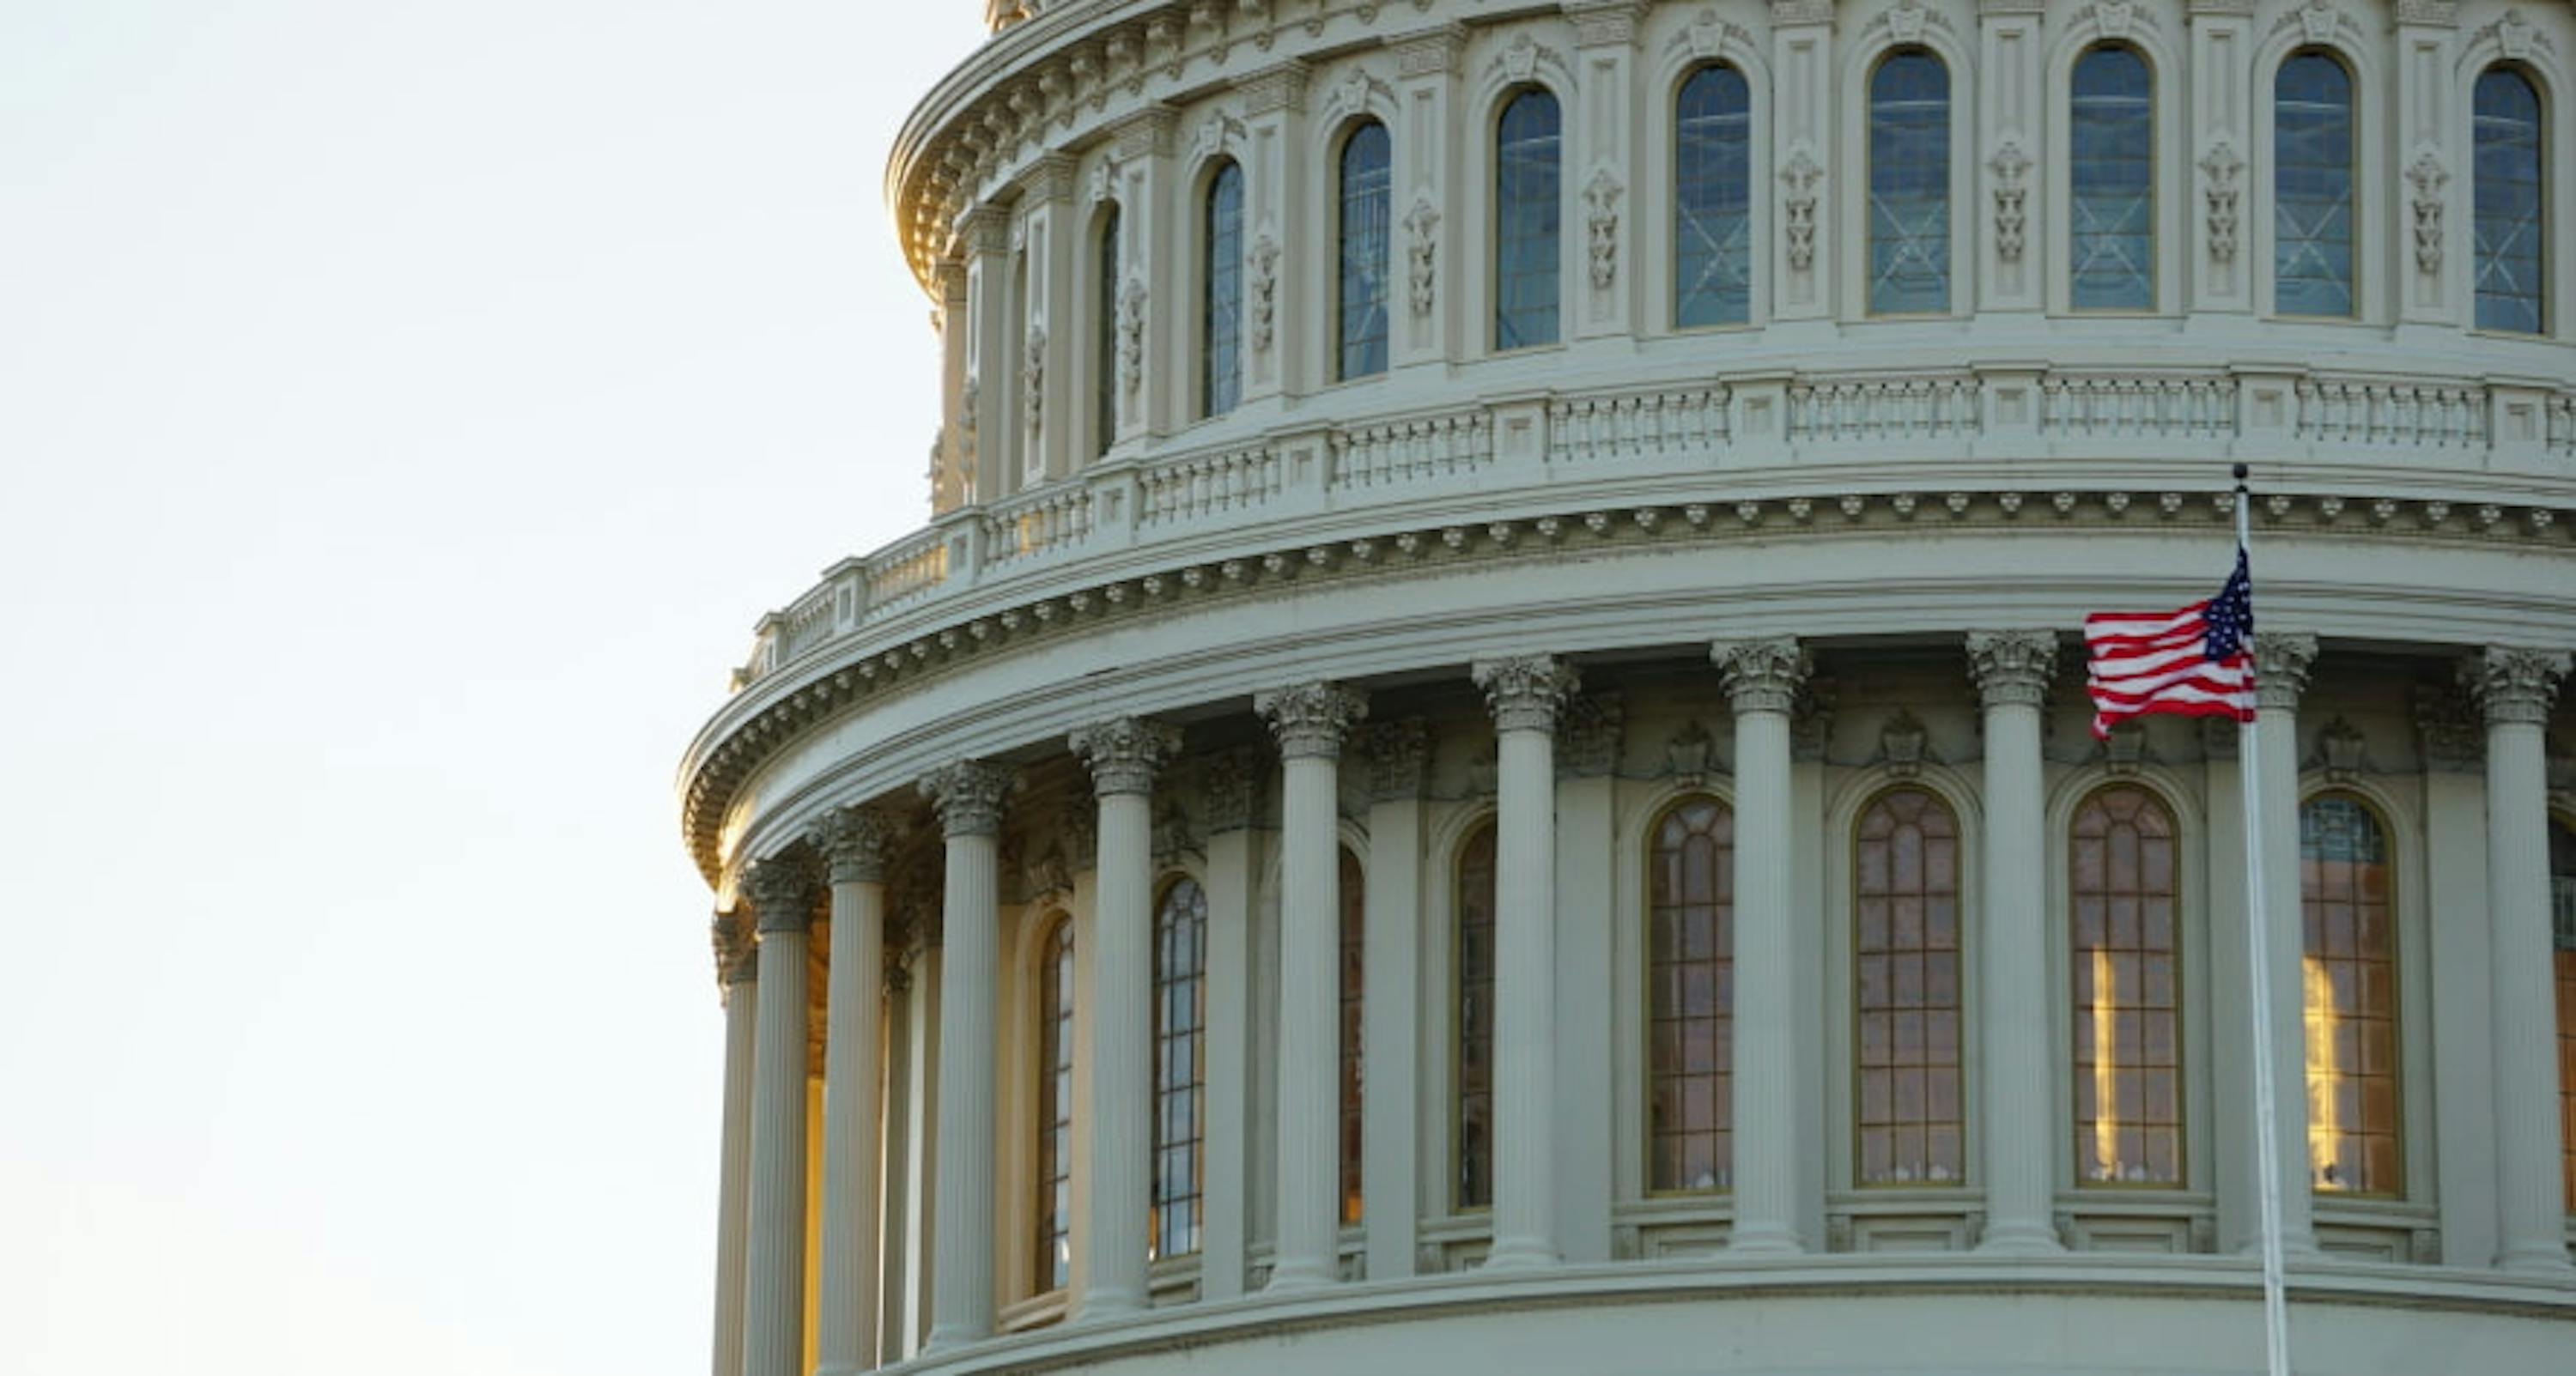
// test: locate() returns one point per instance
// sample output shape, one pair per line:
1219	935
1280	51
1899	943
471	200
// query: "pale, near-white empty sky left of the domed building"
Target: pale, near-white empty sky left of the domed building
406	411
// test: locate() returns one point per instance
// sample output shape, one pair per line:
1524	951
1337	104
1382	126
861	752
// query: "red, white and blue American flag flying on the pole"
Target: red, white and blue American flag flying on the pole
2191	661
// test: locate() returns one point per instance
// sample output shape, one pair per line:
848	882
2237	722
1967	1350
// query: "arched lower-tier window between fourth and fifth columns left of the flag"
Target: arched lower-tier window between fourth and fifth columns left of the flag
1181	968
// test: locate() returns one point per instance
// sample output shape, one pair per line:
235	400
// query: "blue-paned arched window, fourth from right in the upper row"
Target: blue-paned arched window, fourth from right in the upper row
1910	184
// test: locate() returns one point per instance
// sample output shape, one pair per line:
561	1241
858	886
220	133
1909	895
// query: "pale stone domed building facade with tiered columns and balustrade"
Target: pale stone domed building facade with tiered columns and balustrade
1784	568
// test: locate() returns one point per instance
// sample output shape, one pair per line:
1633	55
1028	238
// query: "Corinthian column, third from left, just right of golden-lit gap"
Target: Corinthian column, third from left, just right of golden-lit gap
854	846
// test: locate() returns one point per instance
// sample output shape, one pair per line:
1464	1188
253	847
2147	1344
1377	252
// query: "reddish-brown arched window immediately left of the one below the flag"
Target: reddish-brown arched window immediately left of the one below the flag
1905	973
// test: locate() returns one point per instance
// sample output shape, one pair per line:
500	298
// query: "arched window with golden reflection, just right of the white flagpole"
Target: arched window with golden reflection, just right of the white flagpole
2351	973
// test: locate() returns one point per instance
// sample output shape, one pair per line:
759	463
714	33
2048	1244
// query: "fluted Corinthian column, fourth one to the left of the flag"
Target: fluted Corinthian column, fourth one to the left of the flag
1310	723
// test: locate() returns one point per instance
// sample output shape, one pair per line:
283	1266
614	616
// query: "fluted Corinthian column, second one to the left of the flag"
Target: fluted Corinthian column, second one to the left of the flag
1763	682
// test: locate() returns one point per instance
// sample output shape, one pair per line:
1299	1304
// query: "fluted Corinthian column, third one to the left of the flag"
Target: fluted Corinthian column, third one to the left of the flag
1526	694
